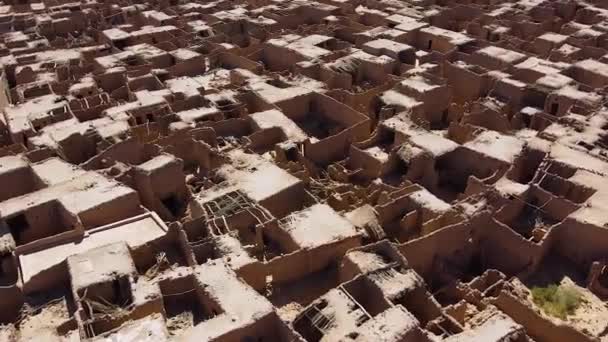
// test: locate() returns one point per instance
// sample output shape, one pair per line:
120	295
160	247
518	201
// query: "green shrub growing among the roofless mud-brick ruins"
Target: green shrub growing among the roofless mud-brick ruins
558	301
